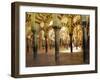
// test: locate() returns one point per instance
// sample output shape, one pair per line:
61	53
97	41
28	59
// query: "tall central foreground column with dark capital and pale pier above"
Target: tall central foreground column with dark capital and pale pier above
56	27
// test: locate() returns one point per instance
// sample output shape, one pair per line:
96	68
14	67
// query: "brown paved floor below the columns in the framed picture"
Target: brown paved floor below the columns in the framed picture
48	59
